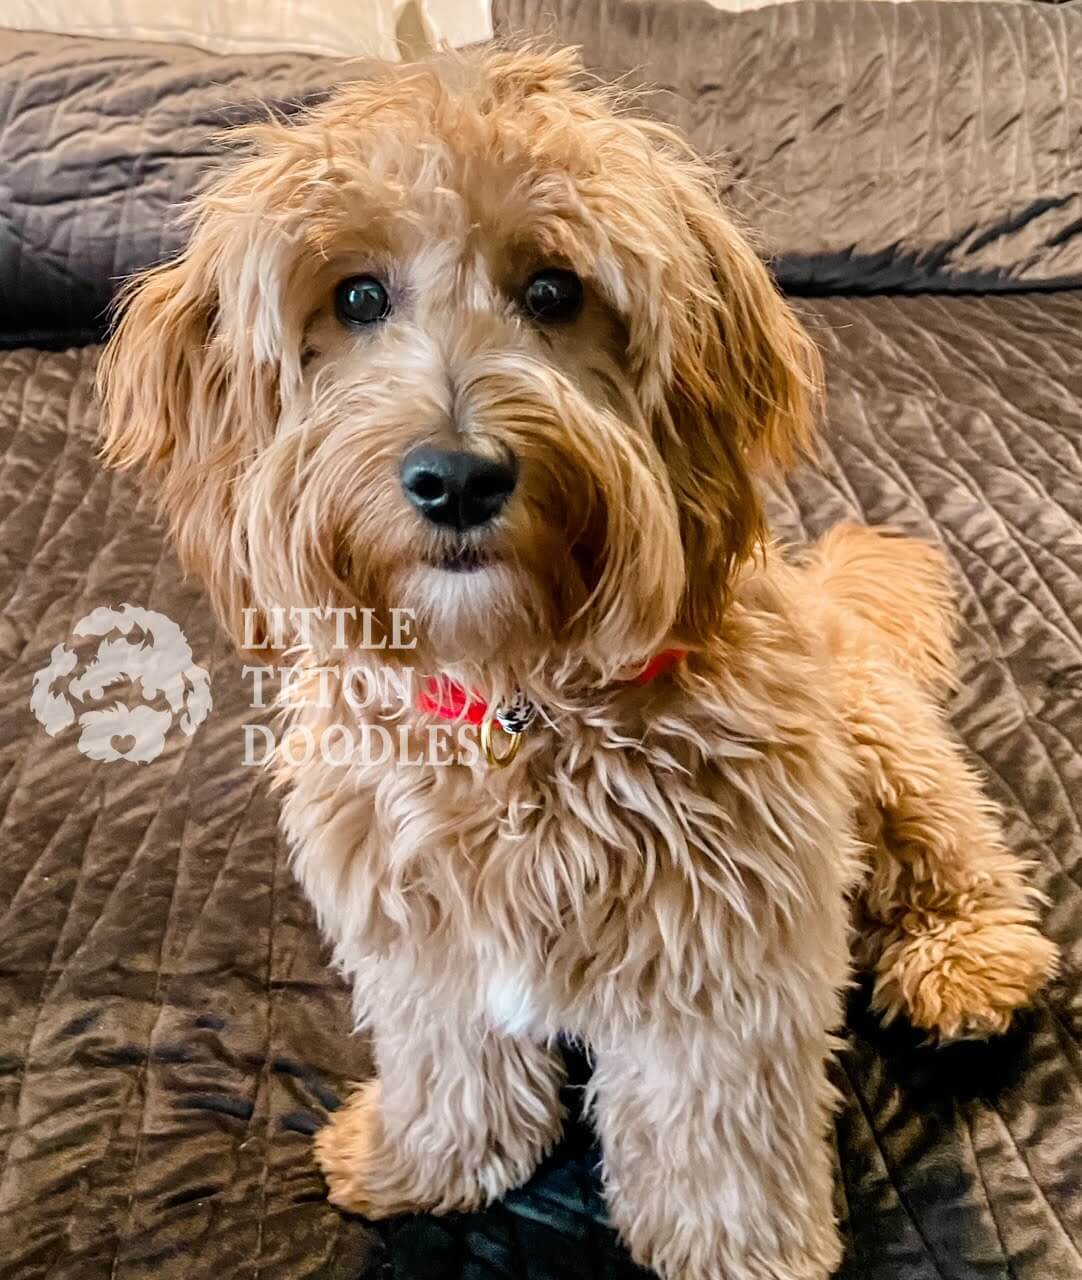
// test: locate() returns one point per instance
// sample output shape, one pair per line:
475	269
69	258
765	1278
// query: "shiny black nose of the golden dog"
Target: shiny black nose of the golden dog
454	488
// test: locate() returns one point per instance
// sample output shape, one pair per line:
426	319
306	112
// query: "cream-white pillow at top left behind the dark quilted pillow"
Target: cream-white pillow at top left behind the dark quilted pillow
346	29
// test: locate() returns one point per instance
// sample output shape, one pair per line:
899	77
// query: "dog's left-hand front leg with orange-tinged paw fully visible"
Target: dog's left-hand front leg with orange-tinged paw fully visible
459	1117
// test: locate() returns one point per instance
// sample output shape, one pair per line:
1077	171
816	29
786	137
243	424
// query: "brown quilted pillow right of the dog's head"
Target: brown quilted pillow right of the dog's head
875	147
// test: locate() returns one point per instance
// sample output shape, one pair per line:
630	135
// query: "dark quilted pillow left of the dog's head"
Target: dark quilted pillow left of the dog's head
101	143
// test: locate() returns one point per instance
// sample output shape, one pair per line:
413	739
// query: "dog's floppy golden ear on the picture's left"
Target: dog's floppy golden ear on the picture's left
181	405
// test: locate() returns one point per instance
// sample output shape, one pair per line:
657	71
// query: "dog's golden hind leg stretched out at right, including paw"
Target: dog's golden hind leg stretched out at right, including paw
949	921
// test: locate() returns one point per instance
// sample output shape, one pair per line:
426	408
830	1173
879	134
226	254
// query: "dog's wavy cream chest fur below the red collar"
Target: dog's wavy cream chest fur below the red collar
596	877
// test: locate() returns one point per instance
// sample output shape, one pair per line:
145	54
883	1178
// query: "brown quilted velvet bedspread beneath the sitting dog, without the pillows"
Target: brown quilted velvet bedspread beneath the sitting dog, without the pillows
172	1035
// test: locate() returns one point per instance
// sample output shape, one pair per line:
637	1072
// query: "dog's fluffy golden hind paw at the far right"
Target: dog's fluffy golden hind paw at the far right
964	977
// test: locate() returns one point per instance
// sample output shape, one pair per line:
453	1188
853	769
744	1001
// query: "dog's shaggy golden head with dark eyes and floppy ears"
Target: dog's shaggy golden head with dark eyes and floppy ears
465	341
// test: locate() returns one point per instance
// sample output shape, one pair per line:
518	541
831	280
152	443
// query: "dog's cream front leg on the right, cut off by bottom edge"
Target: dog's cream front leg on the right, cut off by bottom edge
716	1158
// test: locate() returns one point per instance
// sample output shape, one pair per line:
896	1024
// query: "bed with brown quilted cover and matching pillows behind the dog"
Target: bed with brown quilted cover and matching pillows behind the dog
171	1035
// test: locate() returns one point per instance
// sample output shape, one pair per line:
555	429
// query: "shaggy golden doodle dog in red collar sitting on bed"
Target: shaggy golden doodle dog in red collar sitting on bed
468	341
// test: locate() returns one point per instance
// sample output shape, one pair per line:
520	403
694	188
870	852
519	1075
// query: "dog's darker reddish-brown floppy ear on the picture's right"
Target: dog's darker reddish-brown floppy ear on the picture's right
741	382
